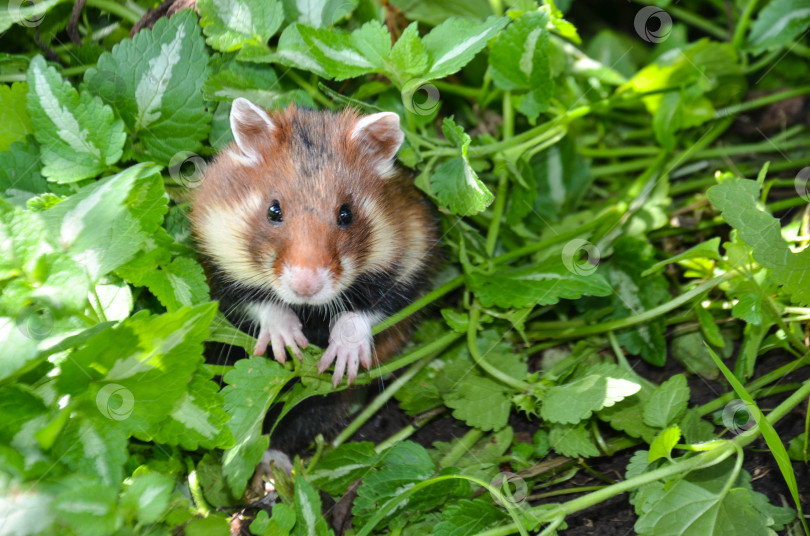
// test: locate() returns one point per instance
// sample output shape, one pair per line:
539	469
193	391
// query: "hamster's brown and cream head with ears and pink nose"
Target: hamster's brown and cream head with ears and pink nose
298	204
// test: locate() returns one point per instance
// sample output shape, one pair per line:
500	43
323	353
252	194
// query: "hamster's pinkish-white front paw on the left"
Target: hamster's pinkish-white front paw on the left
279	327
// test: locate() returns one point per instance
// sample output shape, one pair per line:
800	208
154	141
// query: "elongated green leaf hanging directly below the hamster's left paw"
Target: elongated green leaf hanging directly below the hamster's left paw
253	385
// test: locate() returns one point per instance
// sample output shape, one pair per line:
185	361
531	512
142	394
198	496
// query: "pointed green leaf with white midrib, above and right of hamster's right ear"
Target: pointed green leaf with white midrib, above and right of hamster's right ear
455	42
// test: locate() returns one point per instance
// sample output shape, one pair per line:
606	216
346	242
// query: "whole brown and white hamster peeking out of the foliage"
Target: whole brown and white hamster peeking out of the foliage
311	233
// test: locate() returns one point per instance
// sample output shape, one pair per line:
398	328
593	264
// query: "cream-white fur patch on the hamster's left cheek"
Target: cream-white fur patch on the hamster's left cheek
223	237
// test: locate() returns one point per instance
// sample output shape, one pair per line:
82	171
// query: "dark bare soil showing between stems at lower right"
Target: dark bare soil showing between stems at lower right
616	517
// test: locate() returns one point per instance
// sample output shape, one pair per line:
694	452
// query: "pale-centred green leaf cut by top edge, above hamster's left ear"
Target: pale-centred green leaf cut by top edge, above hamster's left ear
234	24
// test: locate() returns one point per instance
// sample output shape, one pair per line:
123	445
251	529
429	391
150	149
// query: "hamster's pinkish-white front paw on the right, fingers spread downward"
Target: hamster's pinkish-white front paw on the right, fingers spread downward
350	344
